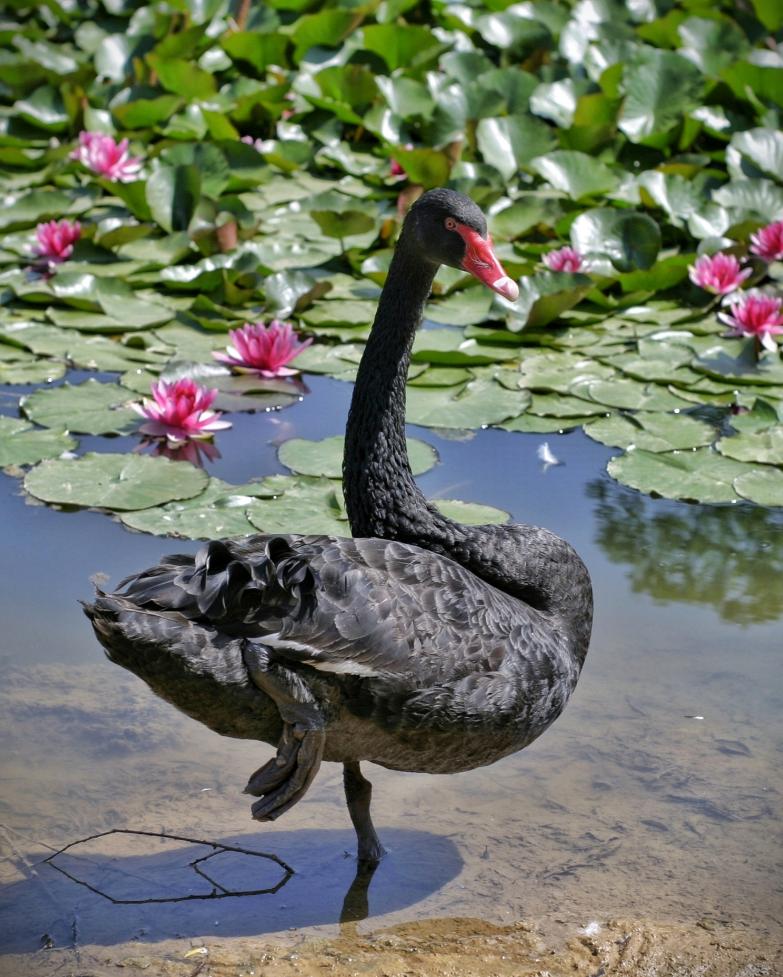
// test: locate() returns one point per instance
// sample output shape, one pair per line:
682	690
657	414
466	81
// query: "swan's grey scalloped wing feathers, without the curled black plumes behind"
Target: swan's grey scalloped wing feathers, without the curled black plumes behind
386	608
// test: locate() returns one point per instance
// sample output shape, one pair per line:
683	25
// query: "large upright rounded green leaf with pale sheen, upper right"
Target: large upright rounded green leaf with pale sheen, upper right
660	88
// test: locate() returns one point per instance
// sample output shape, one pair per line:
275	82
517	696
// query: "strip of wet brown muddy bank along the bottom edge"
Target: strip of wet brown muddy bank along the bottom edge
437	948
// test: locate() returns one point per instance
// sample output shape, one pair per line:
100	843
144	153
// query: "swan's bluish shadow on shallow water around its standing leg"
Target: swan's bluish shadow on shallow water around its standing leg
109	907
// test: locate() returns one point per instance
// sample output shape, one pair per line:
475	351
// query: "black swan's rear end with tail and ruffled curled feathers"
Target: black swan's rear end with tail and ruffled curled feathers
180	627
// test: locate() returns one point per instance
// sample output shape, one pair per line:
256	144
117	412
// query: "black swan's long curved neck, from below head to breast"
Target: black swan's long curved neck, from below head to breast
383	500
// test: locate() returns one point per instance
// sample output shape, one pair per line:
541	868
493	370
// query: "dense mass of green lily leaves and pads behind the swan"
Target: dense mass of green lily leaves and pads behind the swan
642	134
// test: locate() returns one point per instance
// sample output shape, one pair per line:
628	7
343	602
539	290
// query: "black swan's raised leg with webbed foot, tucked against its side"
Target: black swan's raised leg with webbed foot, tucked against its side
282	781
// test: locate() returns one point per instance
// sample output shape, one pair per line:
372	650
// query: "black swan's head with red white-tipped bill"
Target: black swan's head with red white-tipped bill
449	229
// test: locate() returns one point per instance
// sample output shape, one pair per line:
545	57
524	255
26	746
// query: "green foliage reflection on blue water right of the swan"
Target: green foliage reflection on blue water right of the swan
729	557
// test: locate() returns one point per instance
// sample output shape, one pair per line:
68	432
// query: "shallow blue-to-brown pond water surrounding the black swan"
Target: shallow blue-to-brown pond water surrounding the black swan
654	797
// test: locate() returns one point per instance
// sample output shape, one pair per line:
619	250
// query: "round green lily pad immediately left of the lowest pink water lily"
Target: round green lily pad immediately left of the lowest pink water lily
87	408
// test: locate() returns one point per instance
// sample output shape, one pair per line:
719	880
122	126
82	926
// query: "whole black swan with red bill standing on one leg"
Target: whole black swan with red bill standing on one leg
419	644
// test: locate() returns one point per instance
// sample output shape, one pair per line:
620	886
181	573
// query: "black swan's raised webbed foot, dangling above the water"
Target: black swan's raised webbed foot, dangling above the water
284	780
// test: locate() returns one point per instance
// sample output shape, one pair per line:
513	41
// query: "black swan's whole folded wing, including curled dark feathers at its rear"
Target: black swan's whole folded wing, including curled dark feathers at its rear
366	607
